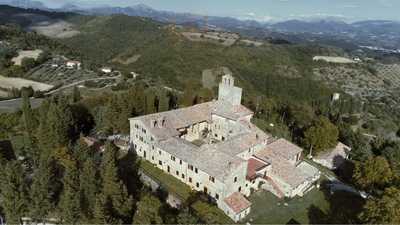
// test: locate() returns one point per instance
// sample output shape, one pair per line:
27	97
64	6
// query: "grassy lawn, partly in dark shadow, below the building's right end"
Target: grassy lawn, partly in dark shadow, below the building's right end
319	206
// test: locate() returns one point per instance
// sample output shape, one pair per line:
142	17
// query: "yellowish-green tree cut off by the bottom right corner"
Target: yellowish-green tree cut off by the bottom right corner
384	209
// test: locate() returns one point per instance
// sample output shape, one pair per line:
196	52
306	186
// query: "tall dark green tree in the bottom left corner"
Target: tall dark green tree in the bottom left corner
13	193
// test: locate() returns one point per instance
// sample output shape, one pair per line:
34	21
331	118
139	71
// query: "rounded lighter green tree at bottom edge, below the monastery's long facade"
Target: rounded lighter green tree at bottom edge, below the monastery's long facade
148	210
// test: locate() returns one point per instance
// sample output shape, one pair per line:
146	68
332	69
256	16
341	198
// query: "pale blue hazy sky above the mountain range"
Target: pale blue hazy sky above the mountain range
265	10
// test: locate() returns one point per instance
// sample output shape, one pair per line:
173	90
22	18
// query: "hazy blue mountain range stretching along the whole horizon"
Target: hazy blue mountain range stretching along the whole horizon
374	33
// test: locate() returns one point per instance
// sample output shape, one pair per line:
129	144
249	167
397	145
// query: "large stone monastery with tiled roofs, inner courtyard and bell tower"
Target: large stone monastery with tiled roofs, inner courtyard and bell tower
214	147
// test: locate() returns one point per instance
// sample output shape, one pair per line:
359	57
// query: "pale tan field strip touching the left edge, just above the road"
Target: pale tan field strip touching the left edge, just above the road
11	82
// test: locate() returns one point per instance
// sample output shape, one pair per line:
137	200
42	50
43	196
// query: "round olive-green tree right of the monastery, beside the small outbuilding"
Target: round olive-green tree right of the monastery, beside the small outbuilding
321	136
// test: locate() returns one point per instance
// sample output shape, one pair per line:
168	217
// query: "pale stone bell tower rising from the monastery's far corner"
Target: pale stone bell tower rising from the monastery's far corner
228	91
